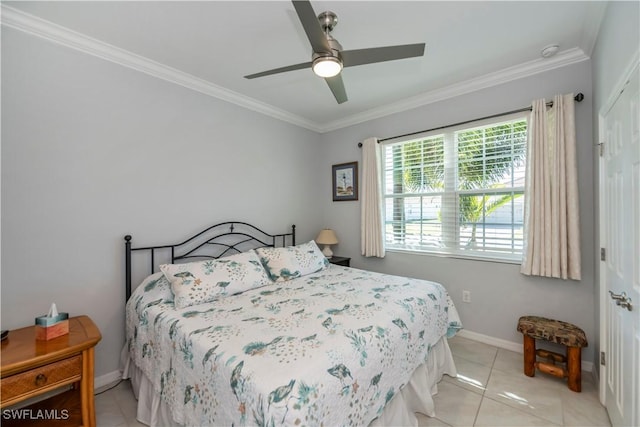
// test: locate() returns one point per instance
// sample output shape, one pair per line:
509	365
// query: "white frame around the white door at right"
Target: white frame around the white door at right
602	283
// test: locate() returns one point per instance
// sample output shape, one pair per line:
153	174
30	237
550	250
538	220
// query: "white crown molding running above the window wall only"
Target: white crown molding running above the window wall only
562	59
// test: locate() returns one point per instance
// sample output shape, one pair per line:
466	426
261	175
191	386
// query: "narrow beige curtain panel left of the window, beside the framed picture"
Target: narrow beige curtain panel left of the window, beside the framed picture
371	227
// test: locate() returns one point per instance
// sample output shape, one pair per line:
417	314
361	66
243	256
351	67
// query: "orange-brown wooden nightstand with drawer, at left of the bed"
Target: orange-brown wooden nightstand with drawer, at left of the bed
31	367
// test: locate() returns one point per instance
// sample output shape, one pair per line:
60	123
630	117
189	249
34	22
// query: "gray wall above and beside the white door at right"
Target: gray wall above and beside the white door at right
618	42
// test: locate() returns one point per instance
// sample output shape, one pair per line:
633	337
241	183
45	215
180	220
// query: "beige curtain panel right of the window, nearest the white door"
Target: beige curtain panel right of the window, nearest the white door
551	223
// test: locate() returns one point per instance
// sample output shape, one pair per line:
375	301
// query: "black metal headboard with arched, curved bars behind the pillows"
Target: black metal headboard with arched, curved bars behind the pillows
216	241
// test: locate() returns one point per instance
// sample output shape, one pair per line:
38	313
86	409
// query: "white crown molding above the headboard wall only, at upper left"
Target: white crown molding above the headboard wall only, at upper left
55	33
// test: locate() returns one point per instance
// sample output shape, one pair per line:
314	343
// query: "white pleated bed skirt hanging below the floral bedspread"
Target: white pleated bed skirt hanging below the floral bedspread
415	396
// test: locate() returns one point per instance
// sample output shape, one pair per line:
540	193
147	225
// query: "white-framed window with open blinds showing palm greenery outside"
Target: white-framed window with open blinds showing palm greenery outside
459	193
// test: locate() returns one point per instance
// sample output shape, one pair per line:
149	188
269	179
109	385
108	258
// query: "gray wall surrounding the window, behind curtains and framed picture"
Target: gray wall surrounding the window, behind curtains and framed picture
500	294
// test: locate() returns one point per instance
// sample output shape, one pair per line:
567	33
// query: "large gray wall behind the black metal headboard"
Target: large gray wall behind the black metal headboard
92	151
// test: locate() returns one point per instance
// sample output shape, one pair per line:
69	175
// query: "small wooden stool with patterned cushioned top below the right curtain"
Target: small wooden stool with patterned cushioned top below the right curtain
574	338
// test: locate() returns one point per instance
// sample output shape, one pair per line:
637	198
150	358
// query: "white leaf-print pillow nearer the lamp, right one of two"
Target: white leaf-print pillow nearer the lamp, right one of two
284	264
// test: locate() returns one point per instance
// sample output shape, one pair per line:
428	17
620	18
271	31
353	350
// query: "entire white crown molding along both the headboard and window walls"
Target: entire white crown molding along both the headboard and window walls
55	33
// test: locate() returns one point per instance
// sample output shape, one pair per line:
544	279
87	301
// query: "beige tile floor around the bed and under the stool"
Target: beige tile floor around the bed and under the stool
490	390
